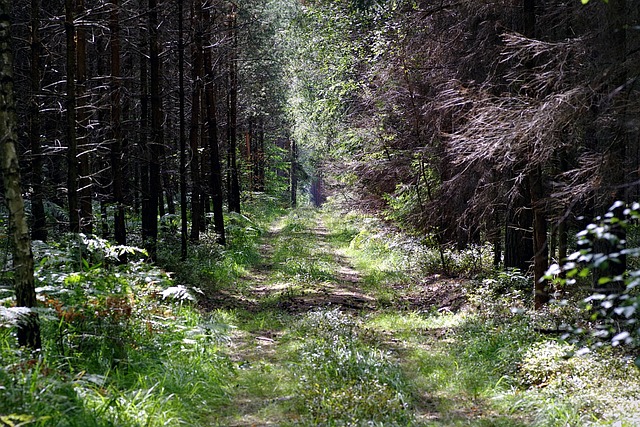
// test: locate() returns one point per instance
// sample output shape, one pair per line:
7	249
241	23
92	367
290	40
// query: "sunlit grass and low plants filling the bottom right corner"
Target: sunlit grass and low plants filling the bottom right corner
483	371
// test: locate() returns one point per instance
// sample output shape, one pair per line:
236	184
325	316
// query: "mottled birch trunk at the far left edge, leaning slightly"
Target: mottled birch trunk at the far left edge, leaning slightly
24	285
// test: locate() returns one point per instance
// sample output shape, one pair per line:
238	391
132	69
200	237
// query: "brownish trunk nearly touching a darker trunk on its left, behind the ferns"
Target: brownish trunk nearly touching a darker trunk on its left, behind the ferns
82	105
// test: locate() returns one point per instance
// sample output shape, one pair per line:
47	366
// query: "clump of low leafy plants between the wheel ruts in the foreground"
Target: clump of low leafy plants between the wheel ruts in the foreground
344	381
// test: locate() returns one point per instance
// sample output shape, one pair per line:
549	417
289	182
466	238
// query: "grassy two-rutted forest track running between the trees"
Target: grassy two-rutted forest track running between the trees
318	340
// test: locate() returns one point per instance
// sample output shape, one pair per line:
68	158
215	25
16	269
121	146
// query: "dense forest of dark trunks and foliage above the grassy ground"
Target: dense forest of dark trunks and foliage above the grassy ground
150	126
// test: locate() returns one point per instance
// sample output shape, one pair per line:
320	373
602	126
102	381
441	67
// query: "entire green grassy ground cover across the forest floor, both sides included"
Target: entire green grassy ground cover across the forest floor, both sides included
126	346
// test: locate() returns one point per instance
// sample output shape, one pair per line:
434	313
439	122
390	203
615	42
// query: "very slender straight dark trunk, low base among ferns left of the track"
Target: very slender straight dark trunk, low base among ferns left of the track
183	138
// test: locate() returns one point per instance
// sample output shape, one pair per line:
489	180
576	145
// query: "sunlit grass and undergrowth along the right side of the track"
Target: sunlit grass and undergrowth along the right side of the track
496	362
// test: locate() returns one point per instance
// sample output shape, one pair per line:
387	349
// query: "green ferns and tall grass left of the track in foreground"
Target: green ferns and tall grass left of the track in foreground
123	345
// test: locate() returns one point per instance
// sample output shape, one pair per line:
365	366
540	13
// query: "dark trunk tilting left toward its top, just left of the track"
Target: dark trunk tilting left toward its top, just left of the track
214	155
